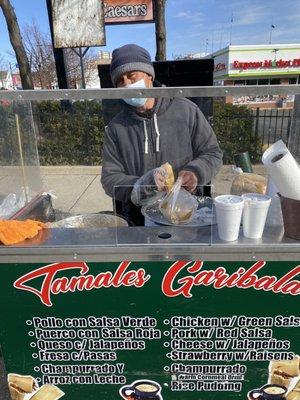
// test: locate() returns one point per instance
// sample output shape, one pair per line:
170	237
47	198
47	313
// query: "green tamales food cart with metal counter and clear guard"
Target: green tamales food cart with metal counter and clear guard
152	312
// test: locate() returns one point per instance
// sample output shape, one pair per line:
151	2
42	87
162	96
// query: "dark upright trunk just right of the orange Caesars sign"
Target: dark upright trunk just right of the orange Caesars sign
160	29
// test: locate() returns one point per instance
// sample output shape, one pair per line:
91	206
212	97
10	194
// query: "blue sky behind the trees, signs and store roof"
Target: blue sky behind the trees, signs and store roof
192	25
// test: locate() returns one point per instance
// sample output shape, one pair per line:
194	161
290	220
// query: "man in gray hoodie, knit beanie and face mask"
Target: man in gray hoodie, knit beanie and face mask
150	132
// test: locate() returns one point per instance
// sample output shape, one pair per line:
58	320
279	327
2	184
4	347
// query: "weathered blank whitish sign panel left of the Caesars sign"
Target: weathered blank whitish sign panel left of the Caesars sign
78	23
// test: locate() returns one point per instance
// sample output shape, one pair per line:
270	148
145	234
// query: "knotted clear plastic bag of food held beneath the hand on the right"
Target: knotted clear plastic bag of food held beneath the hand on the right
178	206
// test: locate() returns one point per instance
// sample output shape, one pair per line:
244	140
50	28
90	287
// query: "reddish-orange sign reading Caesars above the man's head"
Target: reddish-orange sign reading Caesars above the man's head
128	11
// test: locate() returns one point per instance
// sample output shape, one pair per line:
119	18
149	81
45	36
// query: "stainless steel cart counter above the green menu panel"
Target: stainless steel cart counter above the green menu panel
150	243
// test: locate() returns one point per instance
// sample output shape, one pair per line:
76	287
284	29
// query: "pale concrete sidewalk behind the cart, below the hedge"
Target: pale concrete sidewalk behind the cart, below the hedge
78	189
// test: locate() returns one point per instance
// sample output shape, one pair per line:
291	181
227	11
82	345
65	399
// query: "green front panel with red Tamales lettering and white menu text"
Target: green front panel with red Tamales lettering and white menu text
141	330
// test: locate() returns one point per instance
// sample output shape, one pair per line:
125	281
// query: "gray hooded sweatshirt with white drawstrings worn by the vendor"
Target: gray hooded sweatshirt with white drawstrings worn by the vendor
176	132
